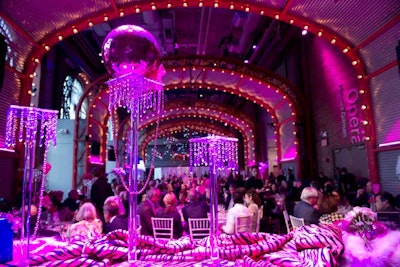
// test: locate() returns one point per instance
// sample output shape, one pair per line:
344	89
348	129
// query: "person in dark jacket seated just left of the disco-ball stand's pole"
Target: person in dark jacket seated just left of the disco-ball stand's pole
114	215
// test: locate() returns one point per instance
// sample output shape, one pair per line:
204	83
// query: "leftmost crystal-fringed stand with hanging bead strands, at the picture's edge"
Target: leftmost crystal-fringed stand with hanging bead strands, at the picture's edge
23	125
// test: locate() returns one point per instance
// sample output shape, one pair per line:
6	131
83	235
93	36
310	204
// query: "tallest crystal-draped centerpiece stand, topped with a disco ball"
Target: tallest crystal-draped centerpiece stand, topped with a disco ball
132	56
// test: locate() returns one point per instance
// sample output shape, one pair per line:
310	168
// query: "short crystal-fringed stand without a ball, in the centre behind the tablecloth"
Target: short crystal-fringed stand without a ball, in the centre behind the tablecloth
219	153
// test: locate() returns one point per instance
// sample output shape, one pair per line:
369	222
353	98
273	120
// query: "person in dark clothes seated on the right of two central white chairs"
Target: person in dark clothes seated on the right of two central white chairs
195	208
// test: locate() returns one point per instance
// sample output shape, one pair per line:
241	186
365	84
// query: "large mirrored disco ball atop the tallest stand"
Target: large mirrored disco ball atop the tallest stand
131	49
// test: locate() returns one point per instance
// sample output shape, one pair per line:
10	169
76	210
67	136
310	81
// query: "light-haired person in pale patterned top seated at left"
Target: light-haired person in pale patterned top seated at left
88	225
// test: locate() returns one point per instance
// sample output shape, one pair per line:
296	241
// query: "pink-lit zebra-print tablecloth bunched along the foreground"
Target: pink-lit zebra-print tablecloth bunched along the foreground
307	246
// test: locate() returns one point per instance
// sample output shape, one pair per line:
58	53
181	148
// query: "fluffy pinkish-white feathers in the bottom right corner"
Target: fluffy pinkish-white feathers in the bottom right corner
385	251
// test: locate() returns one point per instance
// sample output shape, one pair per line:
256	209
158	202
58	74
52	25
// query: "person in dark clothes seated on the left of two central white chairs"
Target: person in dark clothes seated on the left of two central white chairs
170	211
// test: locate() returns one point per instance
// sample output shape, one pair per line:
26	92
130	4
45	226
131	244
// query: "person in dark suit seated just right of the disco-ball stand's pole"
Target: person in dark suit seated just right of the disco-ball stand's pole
147	209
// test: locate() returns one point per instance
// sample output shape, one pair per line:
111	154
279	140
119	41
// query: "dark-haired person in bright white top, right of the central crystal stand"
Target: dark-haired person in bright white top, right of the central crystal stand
238	209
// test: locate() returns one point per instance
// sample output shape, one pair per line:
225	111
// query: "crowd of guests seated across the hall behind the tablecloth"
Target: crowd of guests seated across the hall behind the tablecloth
322	200
